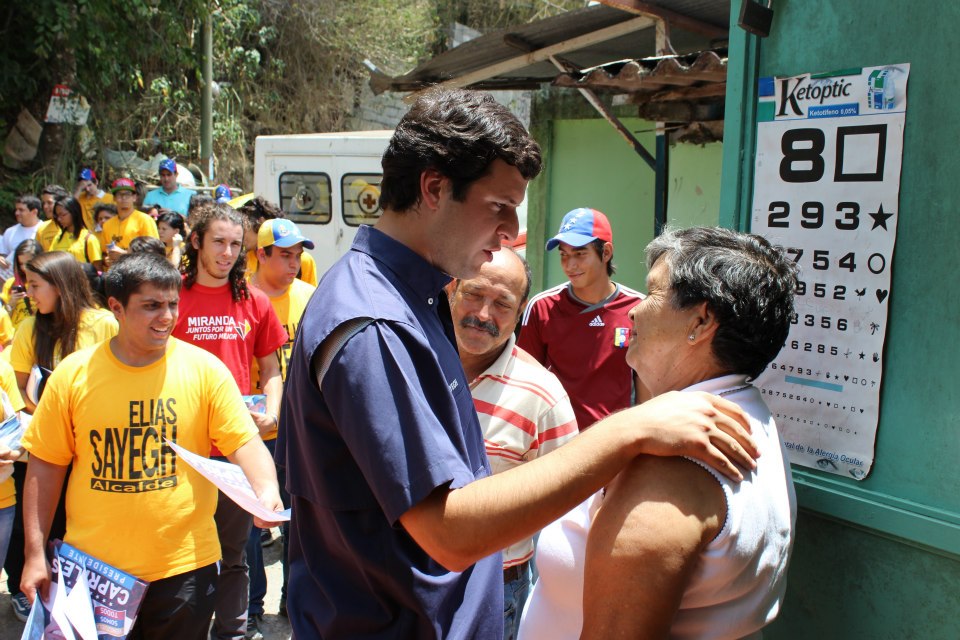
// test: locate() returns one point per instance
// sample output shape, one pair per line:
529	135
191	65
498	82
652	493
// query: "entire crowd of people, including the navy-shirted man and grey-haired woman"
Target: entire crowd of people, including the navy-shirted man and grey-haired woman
461	459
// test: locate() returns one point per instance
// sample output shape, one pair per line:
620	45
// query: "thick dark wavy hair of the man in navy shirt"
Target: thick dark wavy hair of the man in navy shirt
458	133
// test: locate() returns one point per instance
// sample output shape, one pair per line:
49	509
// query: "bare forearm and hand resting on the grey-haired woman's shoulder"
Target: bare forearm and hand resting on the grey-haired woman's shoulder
459	527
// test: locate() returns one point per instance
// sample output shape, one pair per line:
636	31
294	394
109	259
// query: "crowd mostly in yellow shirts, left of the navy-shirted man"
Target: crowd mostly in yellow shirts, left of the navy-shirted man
69	305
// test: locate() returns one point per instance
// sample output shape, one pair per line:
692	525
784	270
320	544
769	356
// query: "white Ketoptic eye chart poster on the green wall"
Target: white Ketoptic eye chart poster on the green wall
827	185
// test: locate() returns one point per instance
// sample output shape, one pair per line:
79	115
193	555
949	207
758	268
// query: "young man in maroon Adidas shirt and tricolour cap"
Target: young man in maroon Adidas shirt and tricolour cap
580	330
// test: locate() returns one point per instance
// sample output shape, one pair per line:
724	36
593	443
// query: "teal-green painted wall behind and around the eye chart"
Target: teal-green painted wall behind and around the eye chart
880	558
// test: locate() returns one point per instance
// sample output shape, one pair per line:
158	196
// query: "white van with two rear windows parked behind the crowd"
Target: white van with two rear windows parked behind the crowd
328	183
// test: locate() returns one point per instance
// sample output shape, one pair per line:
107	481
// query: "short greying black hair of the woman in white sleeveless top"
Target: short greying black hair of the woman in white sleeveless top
747	282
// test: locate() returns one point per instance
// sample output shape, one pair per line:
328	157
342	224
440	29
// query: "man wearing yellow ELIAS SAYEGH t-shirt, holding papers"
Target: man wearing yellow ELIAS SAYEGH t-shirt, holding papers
108	411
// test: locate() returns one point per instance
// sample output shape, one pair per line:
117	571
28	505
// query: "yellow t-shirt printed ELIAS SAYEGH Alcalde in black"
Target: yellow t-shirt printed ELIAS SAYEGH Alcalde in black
130	501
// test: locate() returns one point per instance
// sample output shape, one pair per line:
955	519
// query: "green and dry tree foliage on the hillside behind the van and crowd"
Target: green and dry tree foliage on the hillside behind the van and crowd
281	66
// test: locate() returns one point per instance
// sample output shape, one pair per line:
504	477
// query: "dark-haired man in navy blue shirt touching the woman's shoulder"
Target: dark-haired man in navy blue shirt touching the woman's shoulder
397	521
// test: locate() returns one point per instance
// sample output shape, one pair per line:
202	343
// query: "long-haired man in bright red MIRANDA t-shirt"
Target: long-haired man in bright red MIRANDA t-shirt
220	314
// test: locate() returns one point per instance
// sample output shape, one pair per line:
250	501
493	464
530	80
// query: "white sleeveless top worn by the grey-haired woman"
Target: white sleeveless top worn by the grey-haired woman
739	583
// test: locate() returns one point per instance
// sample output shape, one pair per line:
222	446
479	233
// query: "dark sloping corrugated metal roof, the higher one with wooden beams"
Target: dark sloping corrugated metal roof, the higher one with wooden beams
490	50
